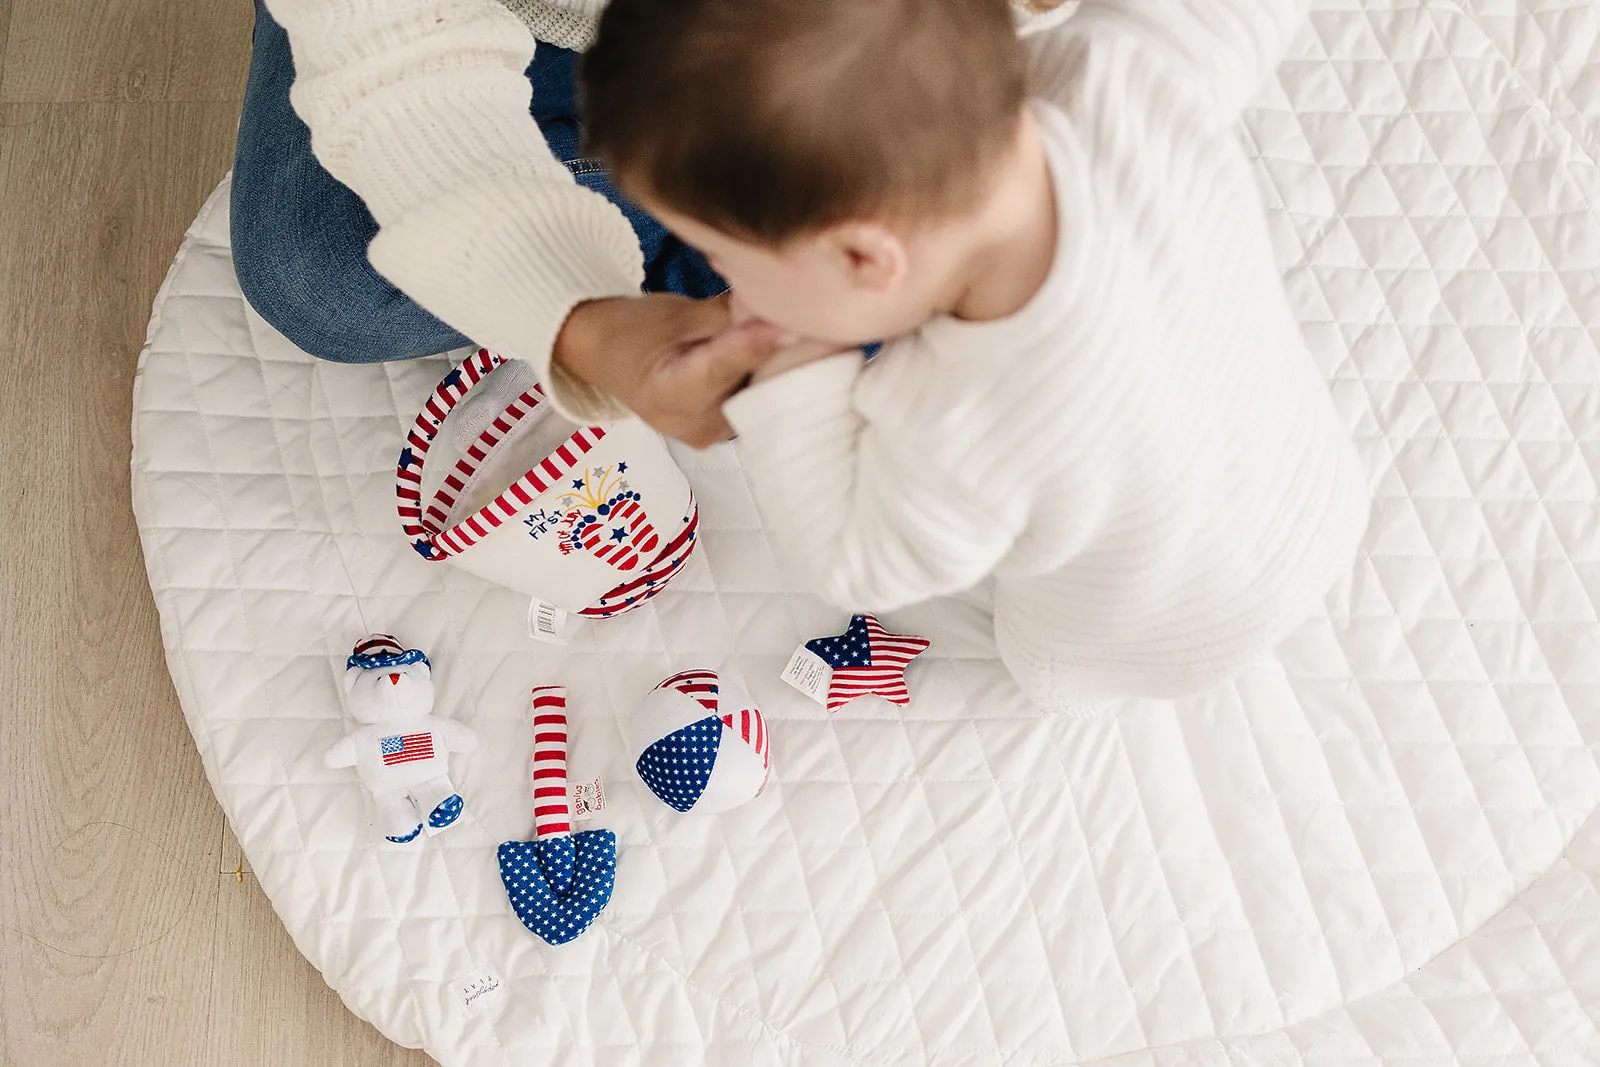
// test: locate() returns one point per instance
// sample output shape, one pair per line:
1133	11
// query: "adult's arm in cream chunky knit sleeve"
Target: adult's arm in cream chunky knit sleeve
422	108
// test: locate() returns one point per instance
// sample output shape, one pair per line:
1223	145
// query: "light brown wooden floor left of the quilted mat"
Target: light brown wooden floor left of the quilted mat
126	933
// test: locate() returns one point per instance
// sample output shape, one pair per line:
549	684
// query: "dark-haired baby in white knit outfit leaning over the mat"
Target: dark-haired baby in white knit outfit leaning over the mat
1097	391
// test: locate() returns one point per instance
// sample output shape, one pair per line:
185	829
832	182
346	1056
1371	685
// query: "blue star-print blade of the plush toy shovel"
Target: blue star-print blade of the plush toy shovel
559	885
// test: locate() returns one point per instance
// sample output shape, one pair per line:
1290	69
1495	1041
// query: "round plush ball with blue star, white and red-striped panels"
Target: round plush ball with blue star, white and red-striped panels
700	745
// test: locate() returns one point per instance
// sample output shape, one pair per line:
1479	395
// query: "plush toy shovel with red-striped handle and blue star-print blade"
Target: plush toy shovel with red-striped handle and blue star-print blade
561	881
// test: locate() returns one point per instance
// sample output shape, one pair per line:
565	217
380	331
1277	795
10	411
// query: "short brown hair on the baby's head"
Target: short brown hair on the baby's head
769	119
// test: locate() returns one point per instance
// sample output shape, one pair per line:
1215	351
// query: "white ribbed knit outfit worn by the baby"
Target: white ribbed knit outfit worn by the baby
1145	457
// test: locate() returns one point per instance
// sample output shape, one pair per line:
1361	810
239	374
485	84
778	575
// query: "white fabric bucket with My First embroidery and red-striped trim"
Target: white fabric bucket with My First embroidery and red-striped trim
591	521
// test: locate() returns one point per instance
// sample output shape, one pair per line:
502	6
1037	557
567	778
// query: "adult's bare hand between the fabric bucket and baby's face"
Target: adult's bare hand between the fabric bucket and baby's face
670	359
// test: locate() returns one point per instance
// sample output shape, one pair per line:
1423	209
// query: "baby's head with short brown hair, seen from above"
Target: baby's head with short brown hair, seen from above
823	154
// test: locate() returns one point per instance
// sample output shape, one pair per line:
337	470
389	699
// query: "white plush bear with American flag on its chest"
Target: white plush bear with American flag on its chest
401	749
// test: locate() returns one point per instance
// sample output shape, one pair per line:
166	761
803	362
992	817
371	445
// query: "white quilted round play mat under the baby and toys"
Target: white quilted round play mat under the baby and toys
1382	850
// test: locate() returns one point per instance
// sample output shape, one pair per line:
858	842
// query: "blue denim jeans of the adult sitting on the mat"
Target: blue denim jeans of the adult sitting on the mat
300	236
